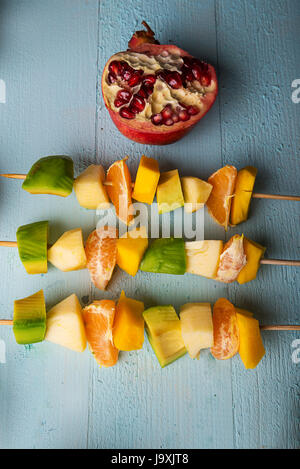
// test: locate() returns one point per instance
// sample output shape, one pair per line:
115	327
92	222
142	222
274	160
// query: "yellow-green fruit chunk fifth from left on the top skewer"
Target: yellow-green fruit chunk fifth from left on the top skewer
169	193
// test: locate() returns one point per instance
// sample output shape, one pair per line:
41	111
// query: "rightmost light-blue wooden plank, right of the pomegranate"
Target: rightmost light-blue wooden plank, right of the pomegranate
257	44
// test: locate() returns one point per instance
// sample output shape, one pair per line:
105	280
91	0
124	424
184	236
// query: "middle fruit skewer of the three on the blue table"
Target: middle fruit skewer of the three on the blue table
239	259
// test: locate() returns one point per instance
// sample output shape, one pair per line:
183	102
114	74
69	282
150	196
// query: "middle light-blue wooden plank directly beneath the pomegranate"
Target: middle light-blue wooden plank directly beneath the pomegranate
141	405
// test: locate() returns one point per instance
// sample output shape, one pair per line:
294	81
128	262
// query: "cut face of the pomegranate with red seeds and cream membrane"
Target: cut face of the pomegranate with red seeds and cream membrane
162	88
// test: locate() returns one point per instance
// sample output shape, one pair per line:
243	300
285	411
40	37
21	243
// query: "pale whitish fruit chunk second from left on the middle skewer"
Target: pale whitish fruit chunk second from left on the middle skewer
68	251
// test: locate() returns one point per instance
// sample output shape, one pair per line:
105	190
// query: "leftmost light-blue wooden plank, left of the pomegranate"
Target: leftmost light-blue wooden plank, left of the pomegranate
48	52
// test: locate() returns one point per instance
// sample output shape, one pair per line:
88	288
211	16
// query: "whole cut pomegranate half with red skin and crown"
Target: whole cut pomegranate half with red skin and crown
156	93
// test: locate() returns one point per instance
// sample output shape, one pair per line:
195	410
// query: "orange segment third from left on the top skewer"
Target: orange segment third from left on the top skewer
120	189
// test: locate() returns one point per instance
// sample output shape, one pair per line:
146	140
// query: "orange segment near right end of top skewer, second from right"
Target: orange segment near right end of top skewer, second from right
219	201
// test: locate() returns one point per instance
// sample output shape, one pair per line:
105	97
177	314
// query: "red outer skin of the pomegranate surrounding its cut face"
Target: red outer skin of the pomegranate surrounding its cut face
145	132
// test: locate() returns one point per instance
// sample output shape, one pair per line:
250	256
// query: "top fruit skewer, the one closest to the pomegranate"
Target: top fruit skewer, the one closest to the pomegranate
227	193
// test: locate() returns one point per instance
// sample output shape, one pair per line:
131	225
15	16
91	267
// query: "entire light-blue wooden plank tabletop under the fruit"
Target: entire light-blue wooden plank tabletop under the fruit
52	53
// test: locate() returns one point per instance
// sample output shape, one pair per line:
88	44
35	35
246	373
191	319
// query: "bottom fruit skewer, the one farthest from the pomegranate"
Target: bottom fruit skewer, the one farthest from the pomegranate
110	327
